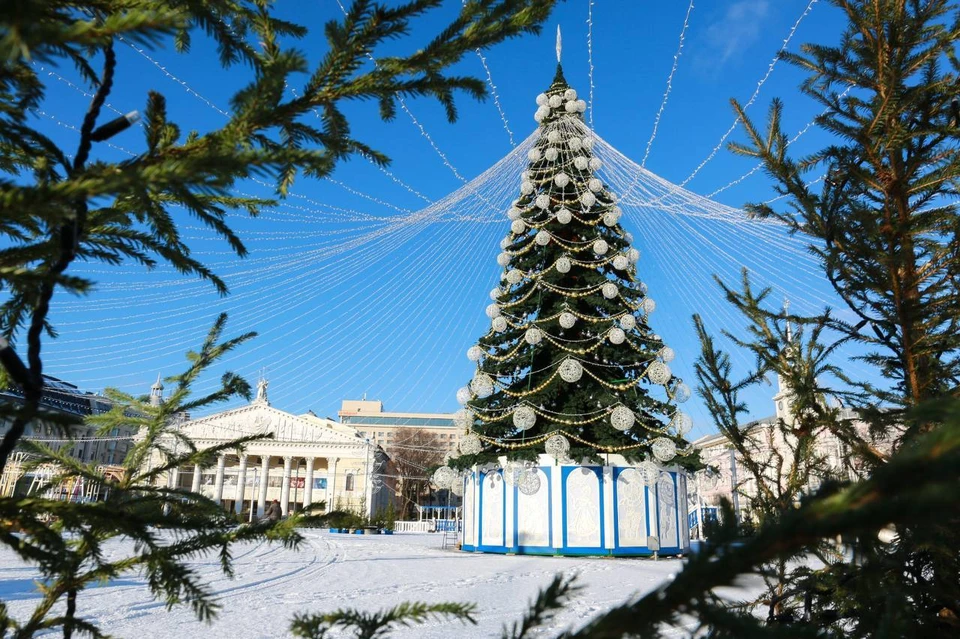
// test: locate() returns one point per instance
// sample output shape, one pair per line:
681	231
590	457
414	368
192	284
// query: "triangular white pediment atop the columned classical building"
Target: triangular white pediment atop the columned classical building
260	418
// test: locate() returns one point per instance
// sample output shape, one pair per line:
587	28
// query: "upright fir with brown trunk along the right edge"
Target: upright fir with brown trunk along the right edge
883	223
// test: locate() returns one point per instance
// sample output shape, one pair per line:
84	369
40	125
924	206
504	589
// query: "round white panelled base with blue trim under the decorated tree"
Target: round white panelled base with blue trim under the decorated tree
578	510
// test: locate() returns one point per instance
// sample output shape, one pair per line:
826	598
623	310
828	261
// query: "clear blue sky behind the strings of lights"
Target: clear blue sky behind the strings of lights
392	317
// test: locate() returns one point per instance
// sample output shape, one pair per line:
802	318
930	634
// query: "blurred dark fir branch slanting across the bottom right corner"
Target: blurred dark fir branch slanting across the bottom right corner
915	488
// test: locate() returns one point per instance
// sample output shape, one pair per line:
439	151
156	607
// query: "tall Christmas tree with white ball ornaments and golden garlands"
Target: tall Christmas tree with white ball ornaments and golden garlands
570	366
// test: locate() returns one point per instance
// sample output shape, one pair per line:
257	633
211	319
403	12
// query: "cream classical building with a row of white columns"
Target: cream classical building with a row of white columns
308	460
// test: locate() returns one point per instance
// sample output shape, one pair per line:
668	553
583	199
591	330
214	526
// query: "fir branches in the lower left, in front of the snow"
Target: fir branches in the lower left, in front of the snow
168	527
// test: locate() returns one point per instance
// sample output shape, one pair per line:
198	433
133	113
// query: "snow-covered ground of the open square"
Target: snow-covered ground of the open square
368	572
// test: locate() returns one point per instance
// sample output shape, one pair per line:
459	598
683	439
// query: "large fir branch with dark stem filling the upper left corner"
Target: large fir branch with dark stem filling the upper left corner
58	205
